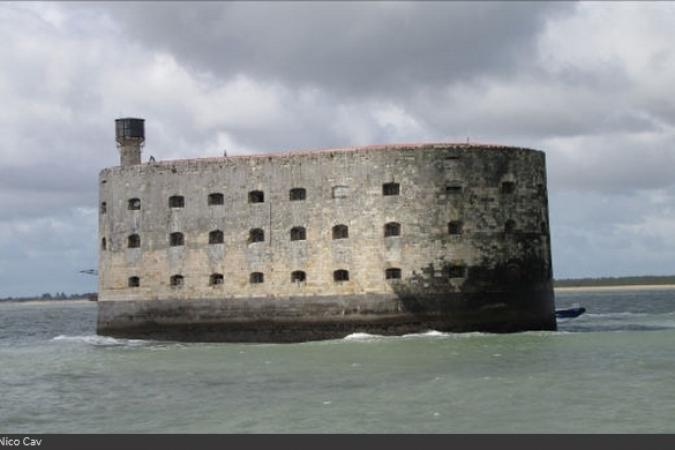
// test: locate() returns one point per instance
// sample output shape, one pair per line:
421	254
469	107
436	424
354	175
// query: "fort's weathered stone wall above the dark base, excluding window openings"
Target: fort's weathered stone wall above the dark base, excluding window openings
498	184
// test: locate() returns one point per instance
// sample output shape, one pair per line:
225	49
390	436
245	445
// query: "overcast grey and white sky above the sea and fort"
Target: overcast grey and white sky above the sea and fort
592	84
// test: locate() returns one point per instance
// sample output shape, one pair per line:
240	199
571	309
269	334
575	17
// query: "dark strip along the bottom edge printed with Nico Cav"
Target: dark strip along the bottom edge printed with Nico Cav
329	441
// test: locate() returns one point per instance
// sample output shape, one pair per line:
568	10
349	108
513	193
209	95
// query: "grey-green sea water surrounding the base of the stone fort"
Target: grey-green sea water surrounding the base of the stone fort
611	370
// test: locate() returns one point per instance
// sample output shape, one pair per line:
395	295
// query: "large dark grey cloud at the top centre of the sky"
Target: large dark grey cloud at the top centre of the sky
355	48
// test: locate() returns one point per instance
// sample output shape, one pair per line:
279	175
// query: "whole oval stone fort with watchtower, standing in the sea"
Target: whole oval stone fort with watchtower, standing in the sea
286	247
